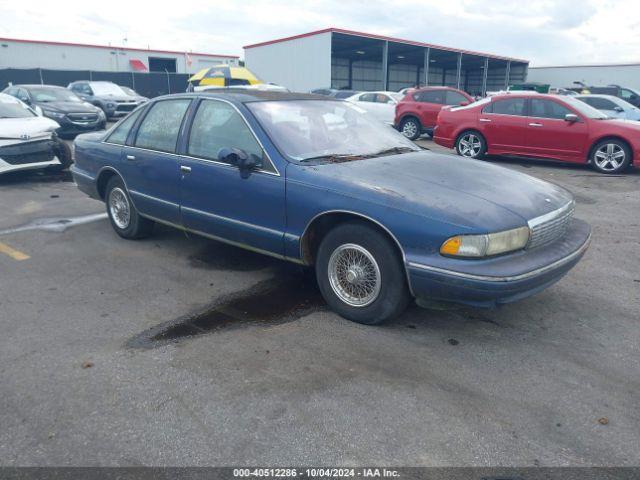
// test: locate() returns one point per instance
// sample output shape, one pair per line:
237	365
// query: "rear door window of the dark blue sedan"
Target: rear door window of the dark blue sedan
160	128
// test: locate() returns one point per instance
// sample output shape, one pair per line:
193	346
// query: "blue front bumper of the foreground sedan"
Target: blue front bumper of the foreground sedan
504	279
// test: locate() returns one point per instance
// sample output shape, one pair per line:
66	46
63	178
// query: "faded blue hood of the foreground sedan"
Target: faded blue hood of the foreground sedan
450	189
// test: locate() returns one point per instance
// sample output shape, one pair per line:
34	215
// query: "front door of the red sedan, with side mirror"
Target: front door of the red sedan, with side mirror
550	135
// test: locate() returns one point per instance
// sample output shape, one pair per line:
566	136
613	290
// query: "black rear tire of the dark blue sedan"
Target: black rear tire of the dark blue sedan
136	226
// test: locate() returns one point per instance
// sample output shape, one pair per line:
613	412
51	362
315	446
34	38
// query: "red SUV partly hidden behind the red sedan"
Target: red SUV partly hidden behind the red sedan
418	111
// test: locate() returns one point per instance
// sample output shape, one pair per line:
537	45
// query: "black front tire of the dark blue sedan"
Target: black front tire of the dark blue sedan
392	296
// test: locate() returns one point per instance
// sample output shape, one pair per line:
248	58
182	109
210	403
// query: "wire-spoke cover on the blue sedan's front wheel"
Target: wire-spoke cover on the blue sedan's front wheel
354	275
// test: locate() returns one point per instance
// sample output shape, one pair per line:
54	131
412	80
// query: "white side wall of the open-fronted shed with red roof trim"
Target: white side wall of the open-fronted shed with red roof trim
301	64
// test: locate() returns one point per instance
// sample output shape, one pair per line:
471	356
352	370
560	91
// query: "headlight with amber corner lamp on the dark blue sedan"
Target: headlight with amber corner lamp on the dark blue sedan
486	245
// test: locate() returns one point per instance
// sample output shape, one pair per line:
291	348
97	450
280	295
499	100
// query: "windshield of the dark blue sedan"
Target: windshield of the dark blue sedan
333	131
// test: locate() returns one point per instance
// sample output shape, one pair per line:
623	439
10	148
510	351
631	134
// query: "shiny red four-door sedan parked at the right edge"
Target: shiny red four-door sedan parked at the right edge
543	126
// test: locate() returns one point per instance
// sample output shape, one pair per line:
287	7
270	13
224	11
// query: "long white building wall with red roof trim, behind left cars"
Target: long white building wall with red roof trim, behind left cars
68	57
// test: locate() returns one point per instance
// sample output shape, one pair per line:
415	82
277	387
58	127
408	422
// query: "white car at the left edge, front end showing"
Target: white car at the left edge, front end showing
28	141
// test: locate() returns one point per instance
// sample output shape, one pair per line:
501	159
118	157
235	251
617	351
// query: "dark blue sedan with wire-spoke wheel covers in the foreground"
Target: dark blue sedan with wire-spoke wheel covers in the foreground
318	182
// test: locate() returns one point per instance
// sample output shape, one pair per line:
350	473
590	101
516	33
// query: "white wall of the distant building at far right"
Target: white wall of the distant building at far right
624	75
